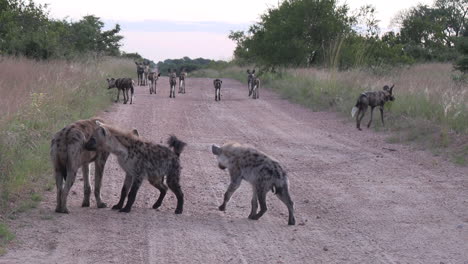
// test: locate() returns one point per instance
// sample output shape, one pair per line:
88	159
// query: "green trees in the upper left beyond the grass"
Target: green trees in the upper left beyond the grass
27	30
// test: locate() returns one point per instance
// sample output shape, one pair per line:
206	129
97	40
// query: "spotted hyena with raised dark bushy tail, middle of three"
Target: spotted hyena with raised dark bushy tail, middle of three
141	159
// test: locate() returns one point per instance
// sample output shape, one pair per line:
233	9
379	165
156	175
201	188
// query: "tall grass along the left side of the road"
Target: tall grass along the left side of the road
37	99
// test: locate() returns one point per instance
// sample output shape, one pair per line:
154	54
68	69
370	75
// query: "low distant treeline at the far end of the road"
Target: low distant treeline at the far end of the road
188	64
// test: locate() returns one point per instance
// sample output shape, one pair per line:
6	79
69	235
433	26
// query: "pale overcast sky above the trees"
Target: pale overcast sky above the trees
160	30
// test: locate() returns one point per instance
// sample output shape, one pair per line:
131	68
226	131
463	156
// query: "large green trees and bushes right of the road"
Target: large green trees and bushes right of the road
321	32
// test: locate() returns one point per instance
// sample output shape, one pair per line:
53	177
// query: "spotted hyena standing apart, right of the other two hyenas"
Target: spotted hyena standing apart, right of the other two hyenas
257	168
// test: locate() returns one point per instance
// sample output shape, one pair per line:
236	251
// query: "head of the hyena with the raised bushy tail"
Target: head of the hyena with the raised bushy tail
103	139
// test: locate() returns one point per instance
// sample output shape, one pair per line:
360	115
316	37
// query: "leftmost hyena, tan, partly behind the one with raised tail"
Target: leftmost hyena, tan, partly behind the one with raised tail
68	154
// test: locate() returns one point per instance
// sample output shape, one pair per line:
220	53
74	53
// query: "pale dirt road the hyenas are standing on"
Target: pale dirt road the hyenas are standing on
356	201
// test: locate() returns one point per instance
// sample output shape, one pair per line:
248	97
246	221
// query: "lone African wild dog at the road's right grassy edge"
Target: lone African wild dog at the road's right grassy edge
372	99
